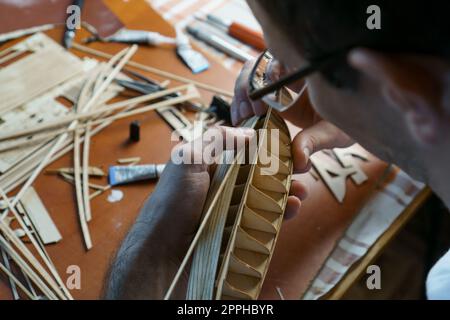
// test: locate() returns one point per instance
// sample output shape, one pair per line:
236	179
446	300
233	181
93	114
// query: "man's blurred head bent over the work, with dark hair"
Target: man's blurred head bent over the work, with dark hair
392	91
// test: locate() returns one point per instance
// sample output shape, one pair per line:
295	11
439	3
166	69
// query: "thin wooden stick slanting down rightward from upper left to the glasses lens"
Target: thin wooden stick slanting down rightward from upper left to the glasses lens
156	71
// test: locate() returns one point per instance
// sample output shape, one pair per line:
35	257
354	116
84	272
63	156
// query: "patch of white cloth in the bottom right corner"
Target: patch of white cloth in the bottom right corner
438	280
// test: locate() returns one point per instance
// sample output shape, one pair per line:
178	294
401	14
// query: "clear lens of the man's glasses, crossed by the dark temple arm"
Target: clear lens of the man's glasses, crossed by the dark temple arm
268	71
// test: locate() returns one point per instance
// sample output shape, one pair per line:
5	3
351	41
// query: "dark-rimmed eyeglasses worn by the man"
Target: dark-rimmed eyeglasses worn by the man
267	85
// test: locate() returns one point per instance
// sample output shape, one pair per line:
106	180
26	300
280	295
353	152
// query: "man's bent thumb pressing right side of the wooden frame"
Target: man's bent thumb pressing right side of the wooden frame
322	135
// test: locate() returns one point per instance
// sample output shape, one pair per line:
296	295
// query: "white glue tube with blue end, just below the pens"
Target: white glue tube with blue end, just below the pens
193	59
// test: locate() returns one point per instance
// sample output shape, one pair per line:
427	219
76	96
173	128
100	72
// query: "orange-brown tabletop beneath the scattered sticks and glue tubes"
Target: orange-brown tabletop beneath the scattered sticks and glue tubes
111	221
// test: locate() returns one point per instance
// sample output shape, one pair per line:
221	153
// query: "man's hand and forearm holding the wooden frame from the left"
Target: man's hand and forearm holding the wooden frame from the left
154	248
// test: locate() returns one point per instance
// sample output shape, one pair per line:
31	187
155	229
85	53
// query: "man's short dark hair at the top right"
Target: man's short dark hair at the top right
321	27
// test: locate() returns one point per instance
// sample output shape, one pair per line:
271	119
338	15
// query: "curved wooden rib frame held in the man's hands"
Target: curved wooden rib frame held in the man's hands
254	207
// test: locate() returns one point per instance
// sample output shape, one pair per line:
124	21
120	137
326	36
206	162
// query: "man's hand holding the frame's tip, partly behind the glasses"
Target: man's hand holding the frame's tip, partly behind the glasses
317	133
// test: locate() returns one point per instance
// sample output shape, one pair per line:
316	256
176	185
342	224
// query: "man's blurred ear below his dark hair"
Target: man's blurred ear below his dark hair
413	84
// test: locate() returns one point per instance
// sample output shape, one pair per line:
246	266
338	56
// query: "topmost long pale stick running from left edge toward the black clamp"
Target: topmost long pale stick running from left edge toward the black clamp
108	108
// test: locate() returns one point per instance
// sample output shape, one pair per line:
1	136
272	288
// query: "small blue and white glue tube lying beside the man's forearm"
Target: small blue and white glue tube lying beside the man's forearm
128	174
